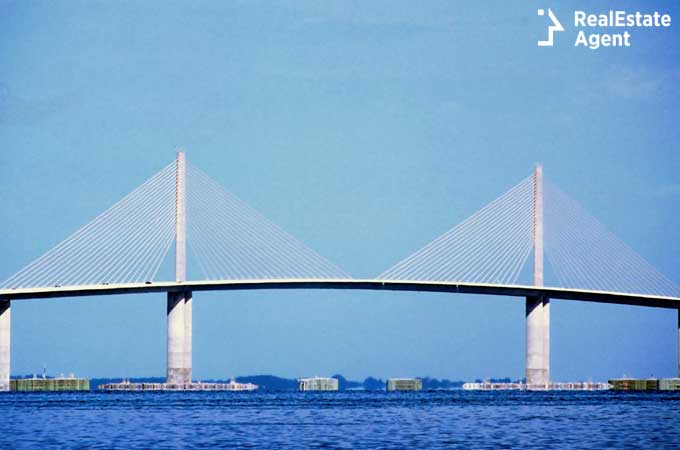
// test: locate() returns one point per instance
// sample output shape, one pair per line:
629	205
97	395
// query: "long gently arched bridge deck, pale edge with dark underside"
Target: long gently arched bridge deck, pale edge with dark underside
347	284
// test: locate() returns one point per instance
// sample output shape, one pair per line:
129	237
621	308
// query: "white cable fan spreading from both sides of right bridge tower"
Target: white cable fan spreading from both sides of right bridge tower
493	245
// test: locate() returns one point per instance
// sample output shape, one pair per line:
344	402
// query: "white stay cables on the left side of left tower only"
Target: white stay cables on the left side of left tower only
126	243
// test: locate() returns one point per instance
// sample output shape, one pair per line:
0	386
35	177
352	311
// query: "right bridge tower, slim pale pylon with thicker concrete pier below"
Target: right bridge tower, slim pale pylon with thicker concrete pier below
538	308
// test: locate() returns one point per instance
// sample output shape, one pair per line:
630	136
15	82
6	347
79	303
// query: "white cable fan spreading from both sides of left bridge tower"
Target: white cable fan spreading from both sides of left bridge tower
129	242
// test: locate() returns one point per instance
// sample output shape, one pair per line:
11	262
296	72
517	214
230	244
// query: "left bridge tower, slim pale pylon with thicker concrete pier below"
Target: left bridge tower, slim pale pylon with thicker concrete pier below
179	312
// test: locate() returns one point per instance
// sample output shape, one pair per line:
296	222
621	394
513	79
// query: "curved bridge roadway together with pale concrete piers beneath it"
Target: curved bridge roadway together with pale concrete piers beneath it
181	294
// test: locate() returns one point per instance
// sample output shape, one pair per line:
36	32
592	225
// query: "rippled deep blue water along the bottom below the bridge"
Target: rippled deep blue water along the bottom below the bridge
445	419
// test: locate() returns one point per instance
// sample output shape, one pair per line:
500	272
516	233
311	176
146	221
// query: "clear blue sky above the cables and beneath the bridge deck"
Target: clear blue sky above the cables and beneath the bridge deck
364	128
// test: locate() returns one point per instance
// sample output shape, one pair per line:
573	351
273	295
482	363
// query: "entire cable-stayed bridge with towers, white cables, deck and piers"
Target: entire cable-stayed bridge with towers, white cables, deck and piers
236	248
